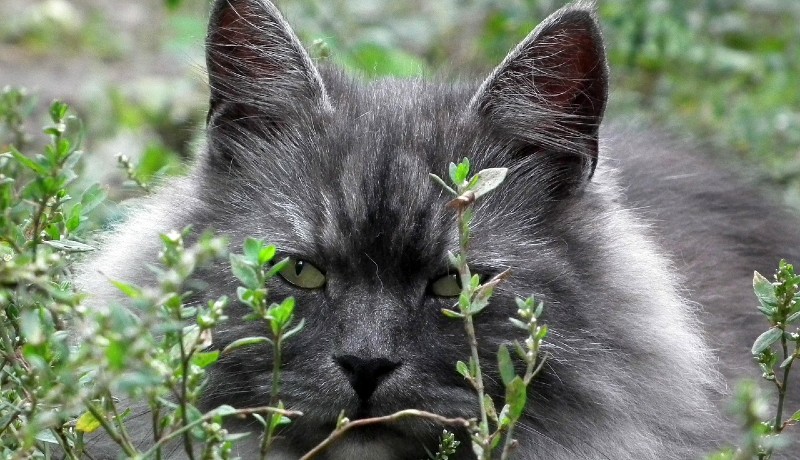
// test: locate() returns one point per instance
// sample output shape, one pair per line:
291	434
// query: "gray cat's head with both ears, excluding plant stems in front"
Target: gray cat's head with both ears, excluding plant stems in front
335	173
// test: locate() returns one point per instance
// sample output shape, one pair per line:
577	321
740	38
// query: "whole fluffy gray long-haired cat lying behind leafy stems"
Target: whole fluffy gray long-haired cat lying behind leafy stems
643	255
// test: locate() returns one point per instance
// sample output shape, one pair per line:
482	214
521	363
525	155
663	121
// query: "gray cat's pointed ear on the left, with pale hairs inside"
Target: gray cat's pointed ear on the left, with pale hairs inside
257	67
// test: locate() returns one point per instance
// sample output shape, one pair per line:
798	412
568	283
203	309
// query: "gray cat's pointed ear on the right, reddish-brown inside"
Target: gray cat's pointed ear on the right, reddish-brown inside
550	92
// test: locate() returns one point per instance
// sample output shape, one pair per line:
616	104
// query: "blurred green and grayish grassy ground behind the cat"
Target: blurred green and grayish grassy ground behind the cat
725	73
